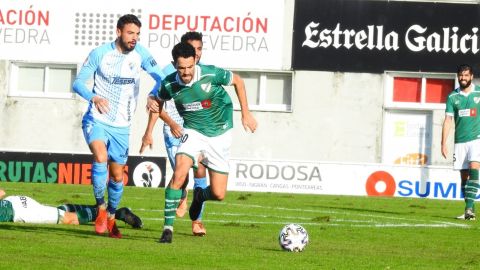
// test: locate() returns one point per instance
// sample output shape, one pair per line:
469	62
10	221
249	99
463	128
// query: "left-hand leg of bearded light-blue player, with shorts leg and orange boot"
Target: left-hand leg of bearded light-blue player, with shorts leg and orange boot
96	139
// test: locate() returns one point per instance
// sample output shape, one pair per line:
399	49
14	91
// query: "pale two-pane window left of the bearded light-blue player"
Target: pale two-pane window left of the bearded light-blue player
42	80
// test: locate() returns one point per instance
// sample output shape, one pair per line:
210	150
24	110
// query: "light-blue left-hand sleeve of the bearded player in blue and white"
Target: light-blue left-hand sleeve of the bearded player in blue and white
86	72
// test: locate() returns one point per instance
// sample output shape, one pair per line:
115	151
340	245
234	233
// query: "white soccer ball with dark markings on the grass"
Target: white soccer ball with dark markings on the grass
293	237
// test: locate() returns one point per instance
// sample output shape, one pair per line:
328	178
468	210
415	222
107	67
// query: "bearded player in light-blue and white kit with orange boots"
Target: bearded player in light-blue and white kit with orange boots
116	68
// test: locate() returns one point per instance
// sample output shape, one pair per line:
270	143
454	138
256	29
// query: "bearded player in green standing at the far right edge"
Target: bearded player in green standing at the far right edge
463	107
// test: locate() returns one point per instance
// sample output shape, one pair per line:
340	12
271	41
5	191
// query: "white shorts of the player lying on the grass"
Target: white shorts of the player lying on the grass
27	210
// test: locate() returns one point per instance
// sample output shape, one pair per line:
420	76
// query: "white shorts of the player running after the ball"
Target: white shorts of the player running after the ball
215	151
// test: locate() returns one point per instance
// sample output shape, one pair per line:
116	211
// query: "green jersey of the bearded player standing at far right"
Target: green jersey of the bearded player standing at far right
465	110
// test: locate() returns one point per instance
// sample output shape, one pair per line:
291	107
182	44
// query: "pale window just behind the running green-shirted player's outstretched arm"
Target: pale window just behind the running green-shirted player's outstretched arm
266	91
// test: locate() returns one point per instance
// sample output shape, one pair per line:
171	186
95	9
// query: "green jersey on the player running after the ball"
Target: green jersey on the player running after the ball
203	103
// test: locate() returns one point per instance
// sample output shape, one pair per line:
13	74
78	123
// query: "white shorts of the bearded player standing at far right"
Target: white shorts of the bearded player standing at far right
464	153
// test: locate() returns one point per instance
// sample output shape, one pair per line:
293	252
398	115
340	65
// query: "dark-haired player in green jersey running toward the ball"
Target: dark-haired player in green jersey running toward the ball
207	110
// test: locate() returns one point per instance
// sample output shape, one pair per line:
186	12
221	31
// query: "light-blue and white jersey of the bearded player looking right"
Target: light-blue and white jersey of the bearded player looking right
116	77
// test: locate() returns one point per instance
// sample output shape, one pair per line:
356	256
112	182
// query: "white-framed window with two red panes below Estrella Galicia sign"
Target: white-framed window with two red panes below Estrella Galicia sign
418	91
